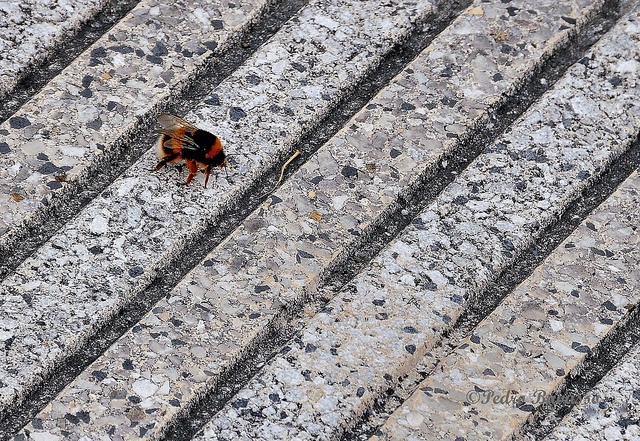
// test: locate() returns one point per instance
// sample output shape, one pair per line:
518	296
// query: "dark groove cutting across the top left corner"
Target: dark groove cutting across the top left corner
36	76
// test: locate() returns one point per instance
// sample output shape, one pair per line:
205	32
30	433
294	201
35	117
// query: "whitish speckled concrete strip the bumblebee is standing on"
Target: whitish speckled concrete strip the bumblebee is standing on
72	284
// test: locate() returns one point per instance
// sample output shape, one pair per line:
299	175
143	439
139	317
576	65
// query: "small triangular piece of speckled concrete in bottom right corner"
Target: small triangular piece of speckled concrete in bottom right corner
610	411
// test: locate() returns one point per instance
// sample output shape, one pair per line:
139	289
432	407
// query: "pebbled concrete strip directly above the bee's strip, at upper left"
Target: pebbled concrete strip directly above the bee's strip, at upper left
150	54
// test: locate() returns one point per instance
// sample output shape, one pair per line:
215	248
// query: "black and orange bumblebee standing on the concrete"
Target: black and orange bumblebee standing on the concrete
198	148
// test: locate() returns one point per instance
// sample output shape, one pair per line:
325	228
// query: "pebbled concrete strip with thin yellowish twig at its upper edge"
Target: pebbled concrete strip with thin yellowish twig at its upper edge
280	251
